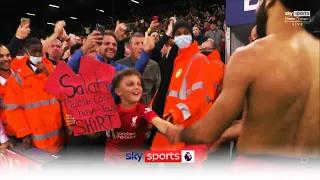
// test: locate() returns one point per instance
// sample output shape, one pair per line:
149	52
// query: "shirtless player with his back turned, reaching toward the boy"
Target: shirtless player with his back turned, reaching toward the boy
278	78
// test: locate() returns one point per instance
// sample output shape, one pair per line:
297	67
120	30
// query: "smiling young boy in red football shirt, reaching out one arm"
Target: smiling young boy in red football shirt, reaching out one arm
135	118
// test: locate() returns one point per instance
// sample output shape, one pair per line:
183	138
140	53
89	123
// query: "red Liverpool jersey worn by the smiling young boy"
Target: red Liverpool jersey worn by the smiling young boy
130	136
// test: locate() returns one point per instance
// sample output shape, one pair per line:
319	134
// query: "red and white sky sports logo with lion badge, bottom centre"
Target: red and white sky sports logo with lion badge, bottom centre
184	156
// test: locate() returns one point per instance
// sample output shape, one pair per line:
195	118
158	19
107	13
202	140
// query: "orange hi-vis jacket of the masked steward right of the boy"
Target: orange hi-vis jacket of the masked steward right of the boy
189	94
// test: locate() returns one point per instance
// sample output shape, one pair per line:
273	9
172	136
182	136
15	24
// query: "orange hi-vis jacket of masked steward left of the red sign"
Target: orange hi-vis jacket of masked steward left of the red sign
31	111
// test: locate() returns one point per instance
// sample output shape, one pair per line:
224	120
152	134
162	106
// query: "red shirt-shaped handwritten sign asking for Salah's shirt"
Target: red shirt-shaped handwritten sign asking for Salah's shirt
86	96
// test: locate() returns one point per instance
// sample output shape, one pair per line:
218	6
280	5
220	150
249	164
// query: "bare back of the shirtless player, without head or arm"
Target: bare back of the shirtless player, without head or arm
283	101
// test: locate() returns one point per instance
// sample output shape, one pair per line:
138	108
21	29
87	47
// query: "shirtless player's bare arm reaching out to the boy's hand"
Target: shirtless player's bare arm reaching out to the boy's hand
227	107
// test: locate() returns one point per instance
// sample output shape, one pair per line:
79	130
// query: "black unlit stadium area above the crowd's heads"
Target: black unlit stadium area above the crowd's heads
85	10
